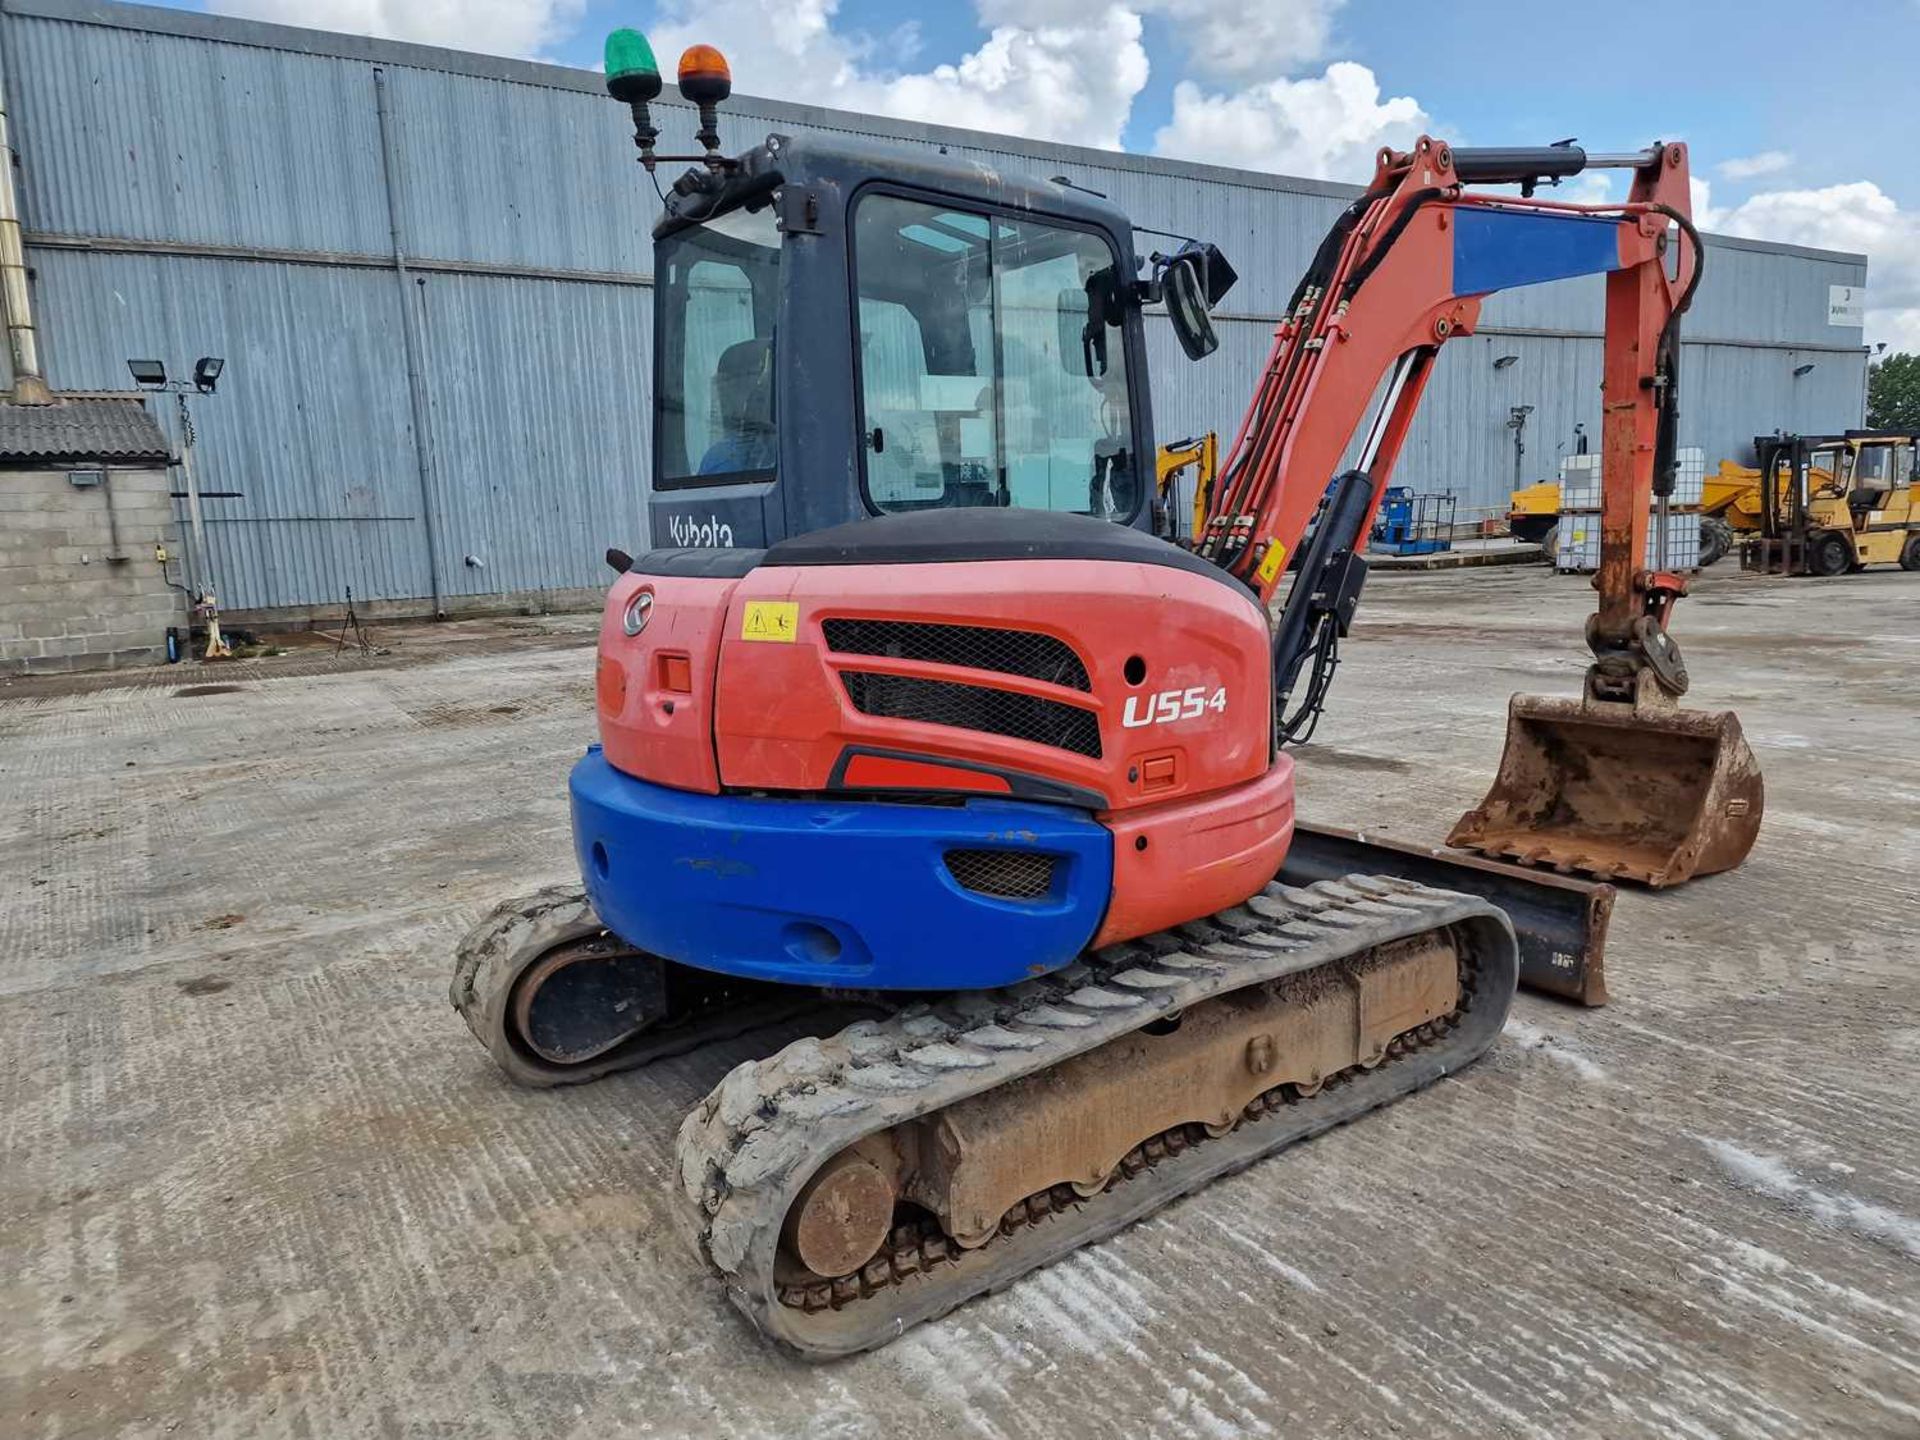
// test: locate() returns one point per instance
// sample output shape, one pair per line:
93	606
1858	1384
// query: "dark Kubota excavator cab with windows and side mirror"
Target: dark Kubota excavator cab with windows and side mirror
848	331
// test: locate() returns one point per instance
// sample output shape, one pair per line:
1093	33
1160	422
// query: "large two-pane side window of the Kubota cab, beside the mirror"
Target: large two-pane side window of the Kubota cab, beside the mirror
990	368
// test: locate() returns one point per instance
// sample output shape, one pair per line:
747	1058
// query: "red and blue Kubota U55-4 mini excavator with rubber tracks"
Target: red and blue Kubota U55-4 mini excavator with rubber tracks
921	721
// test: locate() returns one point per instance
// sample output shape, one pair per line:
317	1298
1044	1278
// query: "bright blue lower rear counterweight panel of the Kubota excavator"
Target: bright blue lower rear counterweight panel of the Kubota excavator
834	894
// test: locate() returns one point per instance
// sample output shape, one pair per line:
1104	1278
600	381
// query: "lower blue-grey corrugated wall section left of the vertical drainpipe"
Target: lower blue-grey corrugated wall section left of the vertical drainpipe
310	421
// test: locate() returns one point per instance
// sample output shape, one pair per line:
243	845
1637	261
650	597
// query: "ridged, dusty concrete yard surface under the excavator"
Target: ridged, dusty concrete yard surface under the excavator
262	1182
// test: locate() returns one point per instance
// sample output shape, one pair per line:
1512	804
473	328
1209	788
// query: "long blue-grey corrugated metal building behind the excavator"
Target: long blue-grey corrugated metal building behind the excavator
429	276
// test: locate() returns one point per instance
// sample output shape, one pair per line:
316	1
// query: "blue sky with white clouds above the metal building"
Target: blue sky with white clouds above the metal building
1800	116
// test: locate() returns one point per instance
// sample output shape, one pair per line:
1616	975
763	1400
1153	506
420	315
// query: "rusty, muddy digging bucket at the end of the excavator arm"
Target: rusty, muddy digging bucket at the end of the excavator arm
1620	792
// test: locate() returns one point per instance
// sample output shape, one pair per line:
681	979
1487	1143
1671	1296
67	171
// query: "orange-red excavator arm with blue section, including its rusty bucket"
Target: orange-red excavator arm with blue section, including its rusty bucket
1620	782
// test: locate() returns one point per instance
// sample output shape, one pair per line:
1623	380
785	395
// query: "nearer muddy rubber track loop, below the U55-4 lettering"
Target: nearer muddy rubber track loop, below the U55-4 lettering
750	1147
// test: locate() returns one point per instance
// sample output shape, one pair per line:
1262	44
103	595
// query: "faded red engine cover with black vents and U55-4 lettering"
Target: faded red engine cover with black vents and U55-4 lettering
1128	690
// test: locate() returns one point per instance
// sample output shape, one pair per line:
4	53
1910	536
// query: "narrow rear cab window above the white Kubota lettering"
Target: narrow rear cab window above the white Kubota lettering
715	404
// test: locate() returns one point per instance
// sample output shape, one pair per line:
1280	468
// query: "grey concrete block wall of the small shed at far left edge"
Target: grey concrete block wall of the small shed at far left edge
64	606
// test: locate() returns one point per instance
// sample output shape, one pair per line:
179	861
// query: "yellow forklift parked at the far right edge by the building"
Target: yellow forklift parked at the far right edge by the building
1836	504
